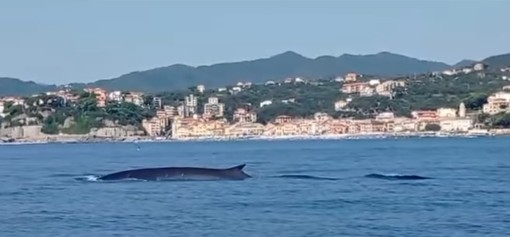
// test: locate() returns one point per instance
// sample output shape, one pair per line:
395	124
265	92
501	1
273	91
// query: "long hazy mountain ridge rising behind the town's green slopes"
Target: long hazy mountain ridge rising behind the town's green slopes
288	64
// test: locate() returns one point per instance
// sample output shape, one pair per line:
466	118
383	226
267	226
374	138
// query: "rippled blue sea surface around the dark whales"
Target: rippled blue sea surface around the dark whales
49	189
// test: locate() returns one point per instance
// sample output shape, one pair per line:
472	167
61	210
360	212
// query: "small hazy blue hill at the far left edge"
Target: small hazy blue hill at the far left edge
17	87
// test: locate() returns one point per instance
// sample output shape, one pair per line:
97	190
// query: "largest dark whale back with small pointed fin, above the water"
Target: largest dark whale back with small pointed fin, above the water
179	173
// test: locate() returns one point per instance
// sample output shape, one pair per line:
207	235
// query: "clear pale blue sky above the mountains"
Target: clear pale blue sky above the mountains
86	40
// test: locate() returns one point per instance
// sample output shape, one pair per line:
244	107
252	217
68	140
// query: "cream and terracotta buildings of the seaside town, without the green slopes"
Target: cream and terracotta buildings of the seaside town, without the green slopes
185	122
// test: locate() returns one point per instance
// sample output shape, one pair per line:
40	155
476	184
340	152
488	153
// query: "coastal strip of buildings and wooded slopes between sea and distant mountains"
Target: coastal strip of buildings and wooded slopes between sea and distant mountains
341	106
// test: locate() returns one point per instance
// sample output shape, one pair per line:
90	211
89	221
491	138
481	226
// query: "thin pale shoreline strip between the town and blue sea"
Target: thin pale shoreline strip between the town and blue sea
70	139
